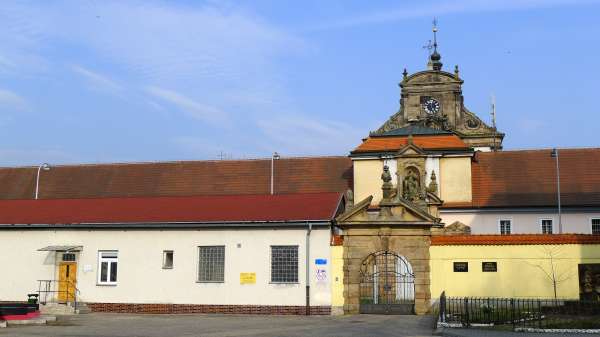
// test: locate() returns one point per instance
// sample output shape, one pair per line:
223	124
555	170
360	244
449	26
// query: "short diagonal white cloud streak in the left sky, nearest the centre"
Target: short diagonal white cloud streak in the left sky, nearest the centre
192	108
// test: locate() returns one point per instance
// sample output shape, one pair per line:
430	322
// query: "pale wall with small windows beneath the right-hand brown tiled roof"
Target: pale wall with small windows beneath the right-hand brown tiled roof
522	223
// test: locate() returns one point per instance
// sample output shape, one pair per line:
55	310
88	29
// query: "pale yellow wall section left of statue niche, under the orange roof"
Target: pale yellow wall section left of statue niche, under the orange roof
367	180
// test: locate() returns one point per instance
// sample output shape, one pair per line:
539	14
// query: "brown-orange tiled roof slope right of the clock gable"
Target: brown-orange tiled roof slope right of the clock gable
528	178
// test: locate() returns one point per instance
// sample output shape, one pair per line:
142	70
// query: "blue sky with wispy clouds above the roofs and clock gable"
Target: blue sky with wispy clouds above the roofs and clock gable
105	81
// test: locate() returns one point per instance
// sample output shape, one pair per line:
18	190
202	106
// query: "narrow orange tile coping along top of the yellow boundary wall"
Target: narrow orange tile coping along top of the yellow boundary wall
515	239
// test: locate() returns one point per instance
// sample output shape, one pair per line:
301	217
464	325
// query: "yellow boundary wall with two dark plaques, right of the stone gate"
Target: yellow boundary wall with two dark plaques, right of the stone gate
519	272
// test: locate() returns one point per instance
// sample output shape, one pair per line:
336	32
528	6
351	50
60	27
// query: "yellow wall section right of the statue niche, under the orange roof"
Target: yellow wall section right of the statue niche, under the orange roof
455	179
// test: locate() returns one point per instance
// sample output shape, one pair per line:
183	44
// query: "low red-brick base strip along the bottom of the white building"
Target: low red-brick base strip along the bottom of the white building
144	308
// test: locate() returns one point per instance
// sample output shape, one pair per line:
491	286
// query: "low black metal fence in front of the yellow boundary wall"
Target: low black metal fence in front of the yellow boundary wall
518	312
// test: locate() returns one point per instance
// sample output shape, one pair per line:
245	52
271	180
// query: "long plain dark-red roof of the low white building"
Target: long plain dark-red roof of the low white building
230	208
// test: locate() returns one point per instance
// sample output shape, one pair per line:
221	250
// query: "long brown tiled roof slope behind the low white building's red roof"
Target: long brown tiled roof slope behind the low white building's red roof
223	177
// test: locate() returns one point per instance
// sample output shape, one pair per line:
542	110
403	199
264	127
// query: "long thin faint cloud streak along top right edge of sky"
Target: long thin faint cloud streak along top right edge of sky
428	9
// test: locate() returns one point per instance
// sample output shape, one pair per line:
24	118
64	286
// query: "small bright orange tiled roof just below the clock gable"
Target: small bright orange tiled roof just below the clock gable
427	142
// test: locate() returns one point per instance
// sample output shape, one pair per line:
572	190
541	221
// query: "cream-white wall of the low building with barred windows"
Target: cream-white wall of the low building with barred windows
141	278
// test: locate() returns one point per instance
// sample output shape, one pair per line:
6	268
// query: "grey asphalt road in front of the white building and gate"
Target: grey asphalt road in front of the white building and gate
121	325
